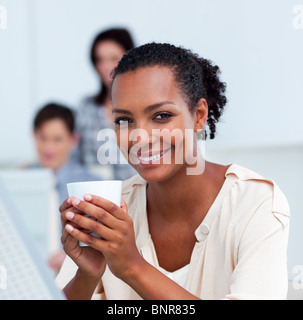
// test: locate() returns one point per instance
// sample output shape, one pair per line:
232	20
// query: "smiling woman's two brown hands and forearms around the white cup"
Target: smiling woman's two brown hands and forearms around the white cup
117	247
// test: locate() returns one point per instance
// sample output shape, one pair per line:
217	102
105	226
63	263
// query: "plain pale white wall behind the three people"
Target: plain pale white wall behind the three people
44	55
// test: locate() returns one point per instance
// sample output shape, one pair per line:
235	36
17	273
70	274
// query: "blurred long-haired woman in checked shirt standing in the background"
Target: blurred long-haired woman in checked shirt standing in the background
94	113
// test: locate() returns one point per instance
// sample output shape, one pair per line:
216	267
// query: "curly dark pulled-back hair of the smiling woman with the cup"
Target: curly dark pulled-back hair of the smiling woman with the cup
197	77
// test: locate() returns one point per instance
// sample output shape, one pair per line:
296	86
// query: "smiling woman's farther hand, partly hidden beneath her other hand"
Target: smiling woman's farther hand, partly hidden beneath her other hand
91	262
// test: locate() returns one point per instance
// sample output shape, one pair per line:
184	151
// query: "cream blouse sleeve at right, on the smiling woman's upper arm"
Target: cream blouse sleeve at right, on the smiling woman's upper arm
261	269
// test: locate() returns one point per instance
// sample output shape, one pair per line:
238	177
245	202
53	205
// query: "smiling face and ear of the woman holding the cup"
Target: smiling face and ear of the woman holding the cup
152	120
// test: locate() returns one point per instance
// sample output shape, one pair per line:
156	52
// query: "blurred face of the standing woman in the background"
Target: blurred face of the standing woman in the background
108	53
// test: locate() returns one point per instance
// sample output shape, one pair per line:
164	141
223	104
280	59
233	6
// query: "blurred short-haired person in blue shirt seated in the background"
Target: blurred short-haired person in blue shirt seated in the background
55	139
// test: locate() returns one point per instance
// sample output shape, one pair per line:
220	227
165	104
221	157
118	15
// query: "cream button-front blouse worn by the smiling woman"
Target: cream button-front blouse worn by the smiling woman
241	247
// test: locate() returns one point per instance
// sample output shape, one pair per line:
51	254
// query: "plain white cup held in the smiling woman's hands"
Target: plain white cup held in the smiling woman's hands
107	189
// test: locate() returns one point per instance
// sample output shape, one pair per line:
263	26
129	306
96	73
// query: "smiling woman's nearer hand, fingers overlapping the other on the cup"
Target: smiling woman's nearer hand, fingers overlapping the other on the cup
117	242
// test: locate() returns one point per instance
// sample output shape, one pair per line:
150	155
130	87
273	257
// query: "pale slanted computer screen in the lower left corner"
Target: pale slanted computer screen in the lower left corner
23	273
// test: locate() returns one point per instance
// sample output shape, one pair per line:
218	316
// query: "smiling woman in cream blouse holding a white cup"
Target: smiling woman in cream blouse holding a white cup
219	234
